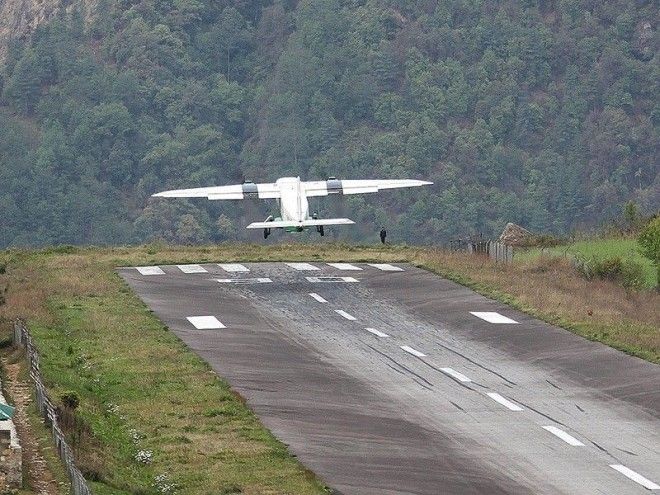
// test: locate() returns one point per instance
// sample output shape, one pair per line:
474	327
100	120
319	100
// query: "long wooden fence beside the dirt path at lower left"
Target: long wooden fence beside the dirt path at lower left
23	338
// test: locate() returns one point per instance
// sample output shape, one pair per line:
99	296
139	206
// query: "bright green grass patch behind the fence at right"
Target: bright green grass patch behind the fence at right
625	248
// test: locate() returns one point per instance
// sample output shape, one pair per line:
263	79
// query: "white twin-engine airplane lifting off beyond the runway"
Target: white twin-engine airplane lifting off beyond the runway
291	194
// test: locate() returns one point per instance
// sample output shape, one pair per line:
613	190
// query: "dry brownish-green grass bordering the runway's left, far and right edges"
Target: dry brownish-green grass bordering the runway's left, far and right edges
142	389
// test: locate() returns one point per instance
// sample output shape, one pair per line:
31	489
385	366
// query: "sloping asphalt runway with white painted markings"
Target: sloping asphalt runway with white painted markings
391	380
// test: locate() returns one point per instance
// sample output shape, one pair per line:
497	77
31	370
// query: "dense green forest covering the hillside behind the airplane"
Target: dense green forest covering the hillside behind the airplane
543	113
